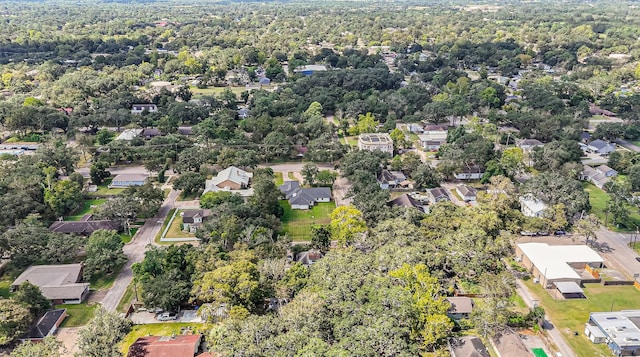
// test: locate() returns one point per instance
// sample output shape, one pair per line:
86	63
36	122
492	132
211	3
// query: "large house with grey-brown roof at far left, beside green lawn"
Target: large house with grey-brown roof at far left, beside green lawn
62	284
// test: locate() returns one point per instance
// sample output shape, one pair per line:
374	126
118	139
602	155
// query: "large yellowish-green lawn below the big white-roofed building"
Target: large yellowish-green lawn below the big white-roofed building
570	315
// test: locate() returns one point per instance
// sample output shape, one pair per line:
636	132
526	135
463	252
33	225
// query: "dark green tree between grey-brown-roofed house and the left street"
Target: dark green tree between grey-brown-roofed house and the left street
104	253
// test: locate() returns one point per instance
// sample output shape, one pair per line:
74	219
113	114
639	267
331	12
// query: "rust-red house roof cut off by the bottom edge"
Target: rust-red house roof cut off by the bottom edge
161	346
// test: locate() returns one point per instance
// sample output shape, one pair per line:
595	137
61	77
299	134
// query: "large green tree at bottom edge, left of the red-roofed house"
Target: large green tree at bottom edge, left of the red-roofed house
102	335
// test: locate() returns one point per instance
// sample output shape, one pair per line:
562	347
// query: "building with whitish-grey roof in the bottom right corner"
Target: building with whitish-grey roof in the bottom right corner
620	330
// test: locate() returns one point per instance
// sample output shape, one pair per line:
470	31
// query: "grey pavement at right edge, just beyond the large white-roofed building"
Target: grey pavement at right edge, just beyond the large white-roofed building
613	247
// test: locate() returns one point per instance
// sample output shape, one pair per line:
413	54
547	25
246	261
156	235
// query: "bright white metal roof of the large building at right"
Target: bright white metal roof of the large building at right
553	260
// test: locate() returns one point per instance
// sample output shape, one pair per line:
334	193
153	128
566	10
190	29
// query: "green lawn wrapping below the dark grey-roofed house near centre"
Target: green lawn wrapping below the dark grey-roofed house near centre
298	223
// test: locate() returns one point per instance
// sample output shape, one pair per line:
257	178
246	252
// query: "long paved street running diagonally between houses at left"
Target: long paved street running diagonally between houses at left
135	252
